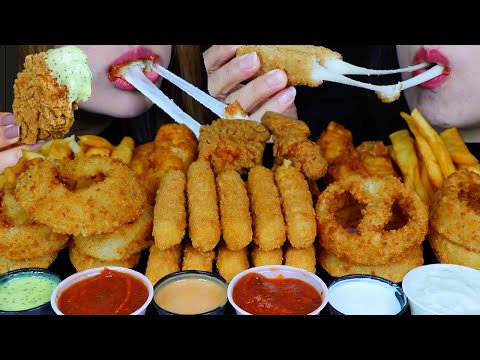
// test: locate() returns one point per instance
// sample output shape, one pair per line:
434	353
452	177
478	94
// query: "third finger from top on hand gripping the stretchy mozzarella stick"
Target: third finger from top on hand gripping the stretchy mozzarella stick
259	90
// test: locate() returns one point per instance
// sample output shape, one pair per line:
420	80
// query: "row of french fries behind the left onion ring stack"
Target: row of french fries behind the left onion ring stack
68	148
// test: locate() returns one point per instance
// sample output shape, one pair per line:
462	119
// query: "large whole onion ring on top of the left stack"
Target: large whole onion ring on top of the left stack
46	192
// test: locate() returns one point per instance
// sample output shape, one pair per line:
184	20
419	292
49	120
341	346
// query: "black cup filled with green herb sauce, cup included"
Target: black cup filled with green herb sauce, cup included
27	291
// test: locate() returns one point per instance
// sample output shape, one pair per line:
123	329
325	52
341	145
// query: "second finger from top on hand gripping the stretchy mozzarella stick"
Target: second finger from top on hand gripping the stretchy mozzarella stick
228	77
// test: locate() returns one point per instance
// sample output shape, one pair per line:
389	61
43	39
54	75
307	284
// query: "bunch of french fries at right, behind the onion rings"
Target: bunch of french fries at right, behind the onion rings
428	158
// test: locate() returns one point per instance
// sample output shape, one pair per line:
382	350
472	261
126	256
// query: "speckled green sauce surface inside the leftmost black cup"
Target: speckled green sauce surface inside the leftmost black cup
26	291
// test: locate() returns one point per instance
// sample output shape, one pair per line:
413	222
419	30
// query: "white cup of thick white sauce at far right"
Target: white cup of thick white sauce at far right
449	291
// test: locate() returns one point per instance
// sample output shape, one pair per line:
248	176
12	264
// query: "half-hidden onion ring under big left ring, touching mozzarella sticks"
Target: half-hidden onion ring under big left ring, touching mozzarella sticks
122	243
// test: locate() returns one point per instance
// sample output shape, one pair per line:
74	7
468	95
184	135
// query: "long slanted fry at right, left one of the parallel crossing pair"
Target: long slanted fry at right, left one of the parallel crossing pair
426	153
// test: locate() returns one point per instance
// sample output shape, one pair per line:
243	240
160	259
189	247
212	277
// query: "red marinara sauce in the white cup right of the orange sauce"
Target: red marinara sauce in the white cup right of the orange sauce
260	295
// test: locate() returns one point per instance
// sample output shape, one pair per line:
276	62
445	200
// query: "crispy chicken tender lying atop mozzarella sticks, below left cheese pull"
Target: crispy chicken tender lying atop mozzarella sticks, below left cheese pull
233	144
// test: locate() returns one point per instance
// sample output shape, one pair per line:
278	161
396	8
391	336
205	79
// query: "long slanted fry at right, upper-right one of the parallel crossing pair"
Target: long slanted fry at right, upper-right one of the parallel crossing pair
436	142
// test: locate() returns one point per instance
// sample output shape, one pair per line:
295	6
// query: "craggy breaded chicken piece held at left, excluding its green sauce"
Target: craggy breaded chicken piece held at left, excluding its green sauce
41	105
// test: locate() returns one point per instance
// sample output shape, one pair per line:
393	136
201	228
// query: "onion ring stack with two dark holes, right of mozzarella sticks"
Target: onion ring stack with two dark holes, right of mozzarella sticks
370	222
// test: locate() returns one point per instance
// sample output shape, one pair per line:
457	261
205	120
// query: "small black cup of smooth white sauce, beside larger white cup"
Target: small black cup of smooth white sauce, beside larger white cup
362	294
